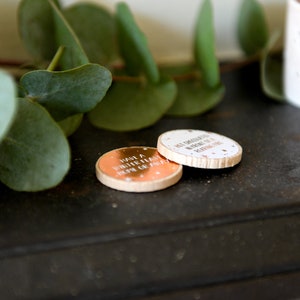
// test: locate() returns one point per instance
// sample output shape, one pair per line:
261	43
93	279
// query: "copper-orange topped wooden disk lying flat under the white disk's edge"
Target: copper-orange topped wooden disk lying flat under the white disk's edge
137	169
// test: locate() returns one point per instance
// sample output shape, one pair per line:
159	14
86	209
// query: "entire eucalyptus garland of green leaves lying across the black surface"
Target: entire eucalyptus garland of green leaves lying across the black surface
34	150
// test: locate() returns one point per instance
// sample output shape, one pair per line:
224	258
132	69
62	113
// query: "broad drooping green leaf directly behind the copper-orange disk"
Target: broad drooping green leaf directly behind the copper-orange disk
133	105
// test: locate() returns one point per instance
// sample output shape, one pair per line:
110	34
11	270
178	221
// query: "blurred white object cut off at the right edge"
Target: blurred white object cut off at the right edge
292	53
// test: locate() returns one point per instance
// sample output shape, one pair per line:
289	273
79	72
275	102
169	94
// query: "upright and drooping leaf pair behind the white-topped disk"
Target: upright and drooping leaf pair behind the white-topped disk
202	89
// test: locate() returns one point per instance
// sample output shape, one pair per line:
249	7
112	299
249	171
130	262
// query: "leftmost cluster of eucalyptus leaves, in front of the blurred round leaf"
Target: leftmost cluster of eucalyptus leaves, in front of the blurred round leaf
34	151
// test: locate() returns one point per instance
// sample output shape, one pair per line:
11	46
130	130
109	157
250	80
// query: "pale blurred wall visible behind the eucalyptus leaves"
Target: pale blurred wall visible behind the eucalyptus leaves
168	25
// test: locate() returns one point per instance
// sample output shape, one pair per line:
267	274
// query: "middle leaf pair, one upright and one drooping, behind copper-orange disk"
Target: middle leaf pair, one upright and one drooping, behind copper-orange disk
142	96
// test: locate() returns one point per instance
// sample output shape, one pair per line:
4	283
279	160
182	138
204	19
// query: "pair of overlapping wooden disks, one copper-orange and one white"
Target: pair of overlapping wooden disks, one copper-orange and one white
147	169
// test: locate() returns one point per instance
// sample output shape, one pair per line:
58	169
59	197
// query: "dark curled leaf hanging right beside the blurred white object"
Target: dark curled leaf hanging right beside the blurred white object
271	68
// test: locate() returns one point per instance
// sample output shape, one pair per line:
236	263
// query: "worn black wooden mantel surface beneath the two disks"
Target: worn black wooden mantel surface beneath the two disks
225	234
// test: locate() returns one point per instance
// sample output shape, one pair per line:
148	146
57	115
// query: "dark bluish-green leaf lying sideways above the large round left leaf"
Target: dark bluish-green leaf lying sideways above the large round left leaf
66	93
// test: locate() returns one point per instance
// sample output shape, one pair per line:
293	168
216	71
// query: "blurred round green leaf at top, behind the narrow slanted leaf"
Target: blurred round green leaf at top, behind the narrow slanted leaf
95	28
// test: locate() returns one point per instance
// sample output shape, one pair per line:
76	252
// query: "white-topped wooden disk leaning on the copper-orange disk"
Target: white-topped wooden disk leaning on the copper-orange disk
200	149
